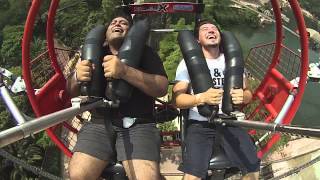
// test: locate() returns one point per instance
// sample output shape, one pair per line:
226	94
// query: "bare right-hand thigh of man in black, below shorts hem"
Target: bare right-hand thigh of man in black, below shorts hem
142	169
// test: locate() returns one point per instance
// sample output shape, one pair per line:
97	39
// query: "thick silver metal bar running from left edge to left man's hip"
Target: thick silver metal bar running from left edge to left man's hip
36	125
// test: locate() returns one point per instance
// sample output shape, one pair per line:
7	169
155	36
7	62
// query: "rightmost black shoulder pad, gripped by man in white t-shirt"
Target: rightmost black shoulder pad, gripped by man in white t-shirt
233	77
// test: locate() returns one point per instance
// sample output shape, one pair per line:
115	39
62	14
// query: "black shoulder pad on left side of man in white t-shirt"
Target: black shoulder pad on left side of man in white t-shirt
197	68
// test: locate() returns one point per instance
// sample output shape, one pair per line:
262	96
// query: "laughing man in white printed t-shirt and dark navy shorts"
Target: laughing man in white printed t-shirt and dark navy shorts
200	134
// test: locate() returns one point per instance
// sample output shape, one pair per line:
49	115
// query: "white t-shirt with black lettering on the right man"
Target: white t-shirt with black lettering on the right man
216	67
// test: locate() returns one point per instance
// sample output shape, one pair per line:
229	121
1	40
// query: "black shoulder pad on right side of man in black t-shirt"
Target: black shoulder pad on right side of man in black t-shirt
130	53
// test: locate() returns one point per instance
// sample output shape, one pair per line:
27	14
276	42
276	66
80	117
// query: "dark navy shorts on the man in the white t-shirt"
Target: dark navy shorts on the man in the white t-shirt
198	150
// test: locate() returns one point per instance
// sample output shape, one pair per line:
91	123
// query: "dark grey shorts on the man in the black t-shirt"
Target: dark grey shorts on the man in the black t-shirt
140	141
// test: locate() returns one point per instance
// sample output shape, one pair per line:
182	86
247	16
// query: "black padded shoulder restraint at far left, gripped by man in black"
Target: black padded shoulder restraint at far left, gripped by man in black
92	50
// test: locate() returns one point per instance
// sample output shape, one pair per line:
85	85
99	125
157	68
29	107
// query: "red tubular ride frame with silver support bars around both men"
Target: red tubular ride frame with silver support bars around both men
49	103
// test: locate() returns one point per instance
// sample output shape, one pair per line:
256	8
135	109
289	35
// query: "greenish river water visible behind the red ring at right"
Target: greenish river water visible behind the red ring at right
309	111
